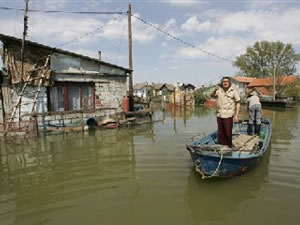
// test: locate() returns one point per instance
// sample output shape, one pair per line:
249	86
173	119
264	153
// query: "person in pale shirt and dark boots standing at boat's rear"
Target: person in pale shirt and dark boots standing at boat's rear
254	110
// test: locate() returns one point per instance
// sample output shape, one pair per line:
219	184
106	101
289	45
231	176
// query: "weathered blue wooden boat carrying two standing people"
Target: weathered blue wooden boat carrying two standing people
214	160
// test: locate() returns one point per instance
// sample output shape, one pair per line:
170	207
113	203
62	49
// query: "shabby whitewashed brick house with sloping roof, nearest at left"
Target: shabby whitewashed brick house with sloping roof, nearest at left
61	88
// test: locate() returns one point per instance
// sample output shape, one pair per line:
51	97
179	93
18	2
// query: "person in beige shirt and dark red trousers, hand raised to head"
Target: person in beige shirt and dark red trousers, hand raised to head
228	109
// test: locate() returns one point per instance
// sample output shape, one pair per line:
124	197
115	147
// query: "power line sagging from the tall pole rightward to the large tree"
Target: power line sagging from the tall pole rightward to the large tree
181	40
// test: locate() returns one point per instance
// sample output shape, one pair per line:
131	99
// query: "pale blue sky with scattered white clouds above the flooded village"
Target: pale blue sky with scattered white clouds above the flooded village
209	34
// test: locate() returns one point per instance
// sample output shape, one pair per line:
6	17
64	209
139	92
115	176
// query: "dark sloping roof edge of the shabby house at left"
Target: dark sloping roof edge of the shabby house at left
5	38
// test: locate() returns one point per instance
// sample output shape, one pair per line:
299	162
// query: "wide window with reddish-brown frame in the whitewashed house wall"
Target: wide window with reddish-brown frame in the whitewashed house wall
71	97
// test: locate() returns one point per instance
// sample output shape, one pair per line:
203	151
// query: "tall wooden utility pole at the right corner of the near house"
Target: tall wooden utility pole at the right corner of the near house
131	103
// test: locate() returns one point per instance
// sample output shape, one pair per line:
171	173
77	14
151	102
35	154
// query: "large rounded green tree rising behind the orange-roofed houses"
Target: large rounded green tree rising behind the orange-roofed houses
265	58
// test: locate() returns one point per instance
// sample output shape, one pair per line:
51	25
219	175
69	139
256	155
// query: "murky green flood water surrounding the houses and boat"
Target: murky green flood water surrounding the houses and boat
144	175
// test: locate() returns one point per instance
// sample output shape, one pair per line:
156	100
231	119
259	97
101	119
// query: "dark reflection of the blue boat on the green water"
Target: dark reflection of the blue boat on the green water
218	202
